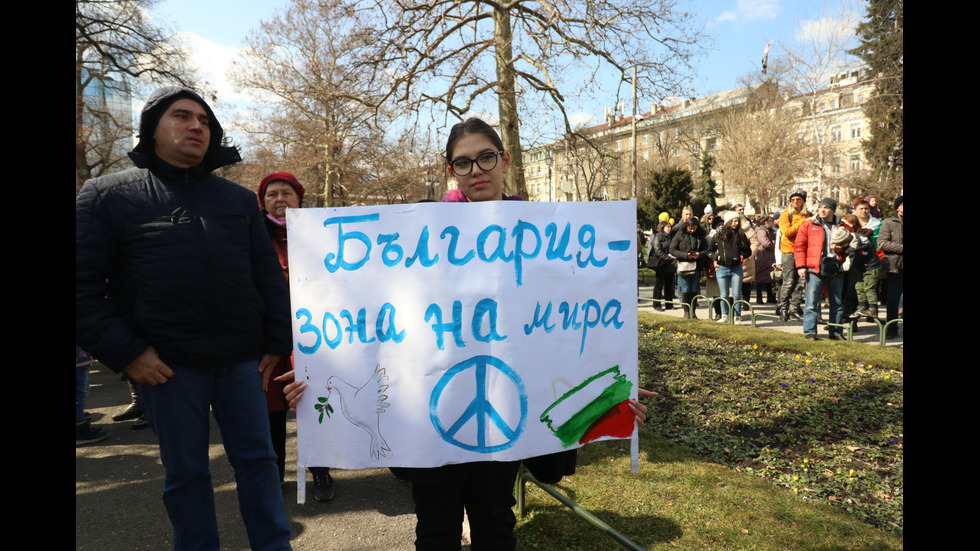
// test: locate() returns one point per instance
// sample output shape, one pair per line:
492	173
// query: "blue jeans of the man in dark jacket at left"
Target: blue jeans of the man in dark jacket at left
179	413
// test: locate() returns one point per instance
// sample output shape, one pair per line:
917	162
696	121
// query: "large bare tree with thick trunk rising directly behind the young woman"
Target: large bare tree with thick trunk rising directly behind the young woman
541	50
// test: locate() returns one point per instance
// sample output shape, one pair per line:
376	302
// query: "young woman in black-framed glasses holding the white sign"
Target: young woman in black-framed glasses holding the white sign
476	159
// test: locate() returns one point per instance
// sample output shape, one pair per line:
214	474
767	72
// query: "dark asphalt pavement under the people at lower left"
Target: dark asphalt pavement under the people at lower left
119	481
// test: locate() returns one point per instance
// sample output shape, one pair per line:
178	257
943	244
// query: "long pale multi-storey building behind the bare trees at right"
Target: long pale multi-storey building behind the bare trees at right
608	161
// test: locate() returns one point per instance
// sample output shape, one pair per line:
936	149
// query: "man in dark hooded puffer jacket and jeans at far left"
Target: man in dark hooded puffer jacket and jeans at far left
178	286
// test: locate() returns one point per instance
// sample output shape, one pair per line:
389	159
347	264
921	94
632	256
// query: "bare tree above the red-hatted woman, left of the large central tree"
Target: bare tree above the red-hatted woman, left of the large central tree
302	67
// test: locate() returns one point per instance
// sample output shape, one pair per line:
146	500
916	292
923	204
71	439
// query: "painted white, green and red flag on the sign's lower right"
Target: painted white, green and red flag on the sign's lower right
597	407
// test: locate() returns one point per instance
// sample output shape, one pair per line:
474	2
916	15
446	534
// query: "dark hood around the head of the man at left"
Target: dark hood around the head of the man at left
217	155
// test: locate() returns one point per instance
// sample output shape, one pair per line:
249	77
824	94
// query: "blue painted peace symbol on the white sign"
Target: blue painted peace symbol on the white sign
482	426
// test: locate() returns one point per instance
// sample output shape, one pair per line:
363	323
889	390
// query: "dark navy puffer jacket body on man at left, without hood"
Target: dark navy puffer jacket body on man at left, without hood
178	259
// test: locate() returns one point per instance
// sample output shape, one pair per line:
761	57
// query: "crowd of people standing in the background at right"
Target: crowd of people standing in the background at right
795	259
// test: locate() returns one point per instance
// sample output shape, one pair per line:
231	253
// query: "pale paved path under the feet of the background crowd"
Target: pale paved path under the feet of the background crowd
867	332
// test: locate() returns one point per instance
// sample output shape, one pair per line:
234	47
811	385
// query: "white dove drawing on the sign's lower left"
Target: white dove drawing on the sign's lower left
363	406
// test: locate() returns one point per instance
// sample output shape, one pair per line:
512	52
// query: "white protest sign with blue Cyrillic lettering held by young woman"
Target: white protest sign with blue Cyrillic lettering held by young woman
438	333
